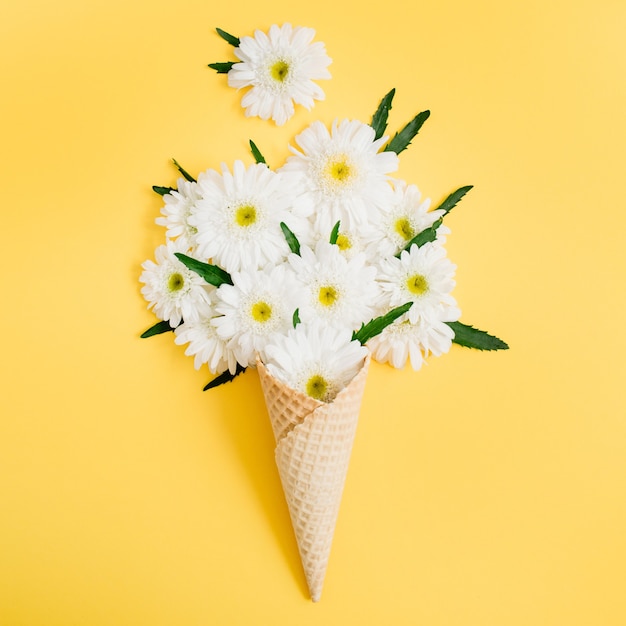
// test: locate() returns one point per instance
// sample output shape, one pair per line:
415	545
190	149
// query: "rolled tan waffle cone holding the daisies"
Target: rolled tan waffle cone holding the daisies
313	445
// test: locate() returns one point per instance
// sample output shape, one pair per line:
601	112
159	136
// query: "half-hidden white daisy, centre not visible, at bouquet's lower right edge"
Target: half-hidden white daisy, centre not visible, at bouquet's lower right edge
402	341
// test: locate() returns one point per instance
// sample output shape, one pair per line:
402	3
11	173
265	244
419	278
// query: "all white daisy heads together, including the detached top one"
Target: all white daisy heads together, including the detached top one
297	307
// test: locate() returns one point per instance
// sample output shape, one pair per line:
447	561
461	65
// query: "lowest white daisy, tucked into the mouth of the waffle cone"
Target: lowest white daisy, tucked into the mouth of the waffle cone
315	359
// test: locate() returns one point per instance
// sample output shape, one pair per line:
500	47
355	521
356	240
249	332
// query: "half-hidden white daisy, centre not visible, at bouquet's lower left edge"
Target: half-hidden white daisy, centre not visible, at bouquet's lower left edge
205	345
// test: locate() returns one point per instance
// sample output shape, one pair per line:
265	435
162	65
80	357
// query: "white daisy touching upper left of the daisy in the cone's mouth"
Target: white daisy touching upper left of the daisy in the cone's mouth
258	305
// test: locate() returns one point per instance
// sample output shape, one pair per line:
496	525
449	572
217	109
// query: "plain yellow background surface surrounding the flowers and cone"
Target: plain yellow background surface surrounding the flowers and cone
485	490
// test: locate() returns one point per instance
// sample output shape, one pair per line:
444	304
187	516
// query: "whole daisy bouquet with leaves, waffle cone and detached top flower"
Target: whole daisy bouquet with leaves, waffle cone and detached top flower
305	273
